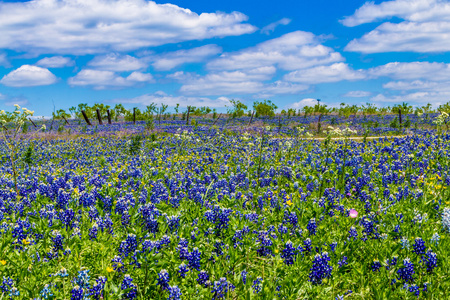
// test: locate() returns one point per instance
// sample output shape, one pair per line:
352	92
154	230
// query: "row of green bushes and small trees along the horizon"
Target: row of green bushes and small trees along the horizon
237	109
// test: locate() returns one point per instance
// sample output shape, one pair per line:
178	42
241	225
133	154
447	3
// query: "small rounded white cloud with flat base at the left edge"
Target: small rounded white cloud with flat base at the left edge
28	75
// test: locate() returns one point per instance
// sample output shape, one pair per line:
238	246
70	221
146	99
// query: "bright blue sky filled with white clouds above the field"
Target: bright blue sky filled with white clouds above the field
56	54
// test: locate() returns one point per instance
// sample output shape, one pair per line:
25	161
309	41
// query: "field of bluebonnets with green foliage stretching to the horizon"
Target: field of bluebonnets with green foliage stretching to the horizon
229	210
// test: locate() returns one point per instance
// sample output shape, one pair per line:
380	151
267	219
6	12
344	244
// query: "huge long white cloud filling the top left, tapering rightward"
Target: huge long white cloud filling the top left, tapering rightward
101	26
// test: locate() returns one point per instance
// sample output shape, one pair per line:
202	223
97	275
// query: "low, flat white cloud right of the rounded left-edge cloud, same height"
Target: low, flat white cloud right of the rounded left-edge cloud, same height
108	79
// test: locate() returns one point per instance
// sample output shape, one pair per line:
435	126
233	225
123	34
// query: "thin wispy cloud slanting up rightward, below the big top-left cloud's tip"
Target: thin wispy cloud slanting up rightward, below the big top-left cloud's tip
171	60
